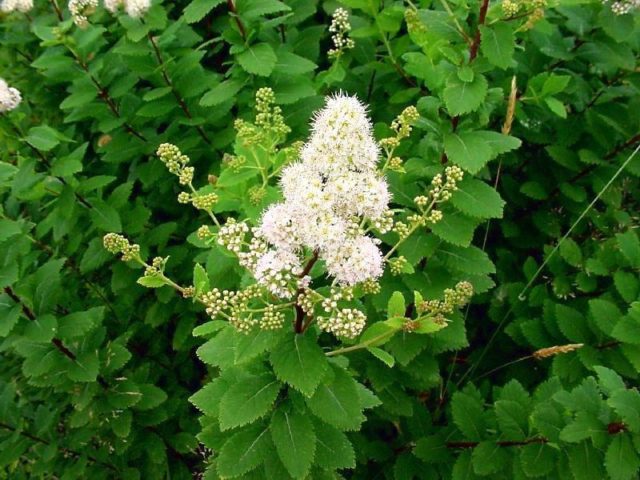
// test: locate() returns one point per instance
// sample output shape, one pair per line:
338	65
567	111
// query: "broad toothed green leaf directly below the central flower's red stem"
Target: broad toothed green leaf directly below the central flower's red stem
300	362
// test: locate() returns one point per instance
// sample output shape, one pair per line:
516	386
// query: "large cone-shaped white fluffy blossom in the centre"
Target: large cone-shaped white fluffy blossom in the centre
327	195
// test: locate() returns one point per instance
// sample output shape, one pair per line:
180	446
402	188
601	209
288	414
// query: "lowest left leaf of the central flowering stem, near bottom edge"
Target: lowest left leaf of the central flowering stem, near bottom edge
244	451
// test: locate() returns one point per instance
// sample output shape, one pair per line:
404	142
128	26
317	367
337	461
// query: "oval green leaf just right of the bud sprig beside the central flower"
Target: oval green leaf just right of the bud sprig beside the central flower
477	199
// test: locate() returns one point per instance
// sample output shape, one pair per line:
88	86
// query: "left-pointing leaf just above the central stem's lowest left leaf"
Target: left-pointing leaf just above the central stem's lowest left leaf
246	401
